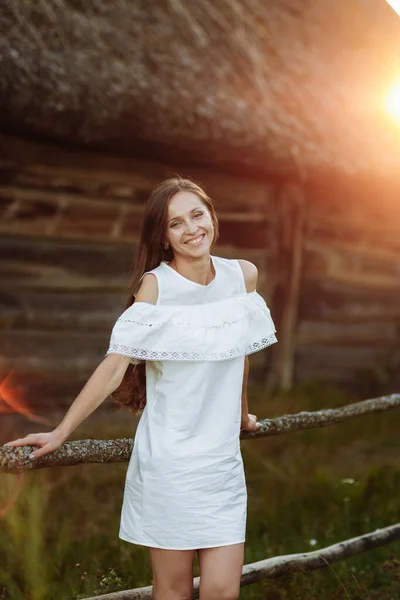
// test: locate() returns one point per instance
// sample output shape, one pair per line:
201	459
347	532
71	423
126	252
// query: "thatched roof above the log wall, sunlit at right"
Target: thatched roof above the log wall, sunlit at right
277	86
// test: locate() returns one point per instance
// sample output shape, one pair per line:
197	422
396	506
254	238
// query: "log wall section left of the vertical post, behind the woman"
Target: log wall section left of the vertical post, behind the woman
69	226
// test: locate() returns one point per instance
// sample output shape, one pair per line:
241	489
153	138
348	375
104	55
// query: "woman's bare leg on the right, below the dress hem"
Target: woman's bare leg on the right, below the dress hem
220	572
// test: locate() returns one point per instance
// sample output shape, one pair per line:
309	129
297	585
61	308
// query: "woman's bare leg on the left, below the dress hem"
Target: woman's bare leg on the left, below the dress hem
172	574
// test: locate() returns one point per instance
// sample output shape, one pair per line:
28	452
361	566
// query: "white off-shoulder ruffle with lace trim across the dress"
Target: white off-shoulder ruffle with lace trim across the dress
213	331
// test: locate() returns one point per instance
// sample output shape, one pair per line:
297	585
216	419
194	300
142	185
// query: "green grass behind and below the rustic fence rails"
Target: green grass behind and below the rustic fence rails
306	490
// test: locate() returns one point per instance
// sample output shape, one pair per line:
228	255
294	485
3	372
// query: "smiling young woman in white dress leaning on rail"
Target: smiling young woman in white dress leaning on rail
178	353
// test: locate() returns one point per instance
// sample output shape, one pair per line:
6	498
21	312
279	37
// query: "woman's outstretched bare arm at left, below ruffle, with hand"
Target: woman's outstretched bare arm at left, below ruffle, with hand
105	379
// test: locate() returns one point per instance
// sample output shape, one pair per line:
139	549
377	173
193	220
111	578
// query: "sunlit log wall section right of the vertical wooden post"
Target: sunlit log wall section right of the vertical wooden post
349	303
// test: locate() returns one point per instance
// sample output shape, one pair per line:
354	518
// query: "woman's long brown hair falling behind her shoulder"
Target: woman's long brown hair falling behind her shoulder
150	253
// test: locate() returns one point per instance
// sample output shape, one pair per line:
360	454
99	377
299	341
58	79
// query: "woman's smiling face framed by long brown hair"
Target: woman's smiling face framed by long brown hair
189	231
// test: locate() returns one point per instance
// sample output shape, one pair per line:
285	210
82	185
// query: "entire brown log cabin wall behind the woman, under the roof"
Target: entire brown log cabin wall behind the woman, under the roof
328	262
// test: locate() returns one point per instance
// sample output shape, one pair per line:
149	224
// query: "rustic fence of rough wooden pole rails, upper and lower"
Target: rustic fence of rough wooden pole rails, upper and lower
15	460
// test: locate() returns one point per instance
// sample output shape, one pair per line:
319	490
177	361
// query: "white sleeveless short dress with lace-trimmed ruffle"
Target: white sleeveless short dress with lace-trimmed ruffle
185	486
